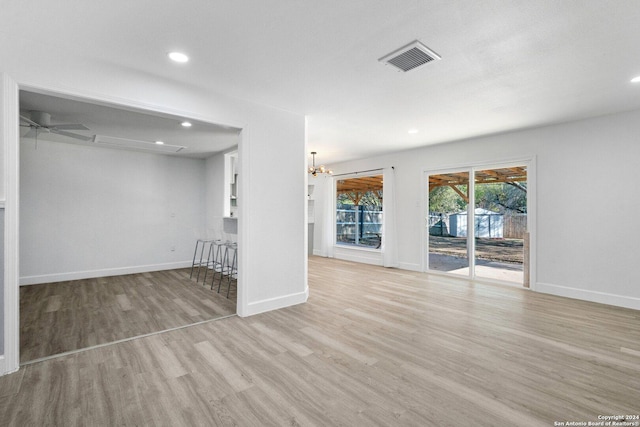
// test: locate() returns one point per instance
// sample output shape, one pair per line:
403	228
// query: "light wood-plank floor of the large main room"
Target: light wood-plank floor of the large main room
372	346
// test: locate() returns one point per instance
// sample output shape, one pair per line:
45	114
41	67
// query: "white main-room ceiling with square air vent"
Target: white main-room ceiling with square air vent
506	64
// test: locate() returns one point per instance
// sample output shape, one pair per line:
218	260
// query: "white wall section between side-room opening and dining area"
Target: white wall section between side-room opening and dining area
272	212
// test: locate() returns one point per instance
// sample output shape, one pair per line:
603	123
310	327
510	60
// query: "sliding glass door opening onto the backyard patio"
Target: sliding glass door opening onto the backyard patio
477	227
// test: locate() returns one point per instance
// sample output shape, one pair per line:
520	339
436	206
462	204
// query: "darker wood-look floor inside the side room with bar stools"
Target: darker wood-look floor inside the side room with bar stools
65	316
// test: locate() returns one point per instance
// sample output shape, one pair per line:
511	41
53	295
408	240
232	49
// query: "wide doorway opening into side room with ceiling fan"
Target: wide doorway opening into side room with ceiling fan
113	200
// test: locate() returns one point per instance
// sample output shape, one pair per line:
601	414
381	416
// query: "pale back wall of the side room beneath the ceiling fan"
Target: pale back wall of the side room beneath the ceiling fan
90	211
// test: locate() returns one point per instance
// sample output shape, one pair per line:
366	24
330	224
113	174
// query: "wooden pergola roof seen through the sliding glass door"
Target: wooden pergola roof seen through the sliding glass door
512	176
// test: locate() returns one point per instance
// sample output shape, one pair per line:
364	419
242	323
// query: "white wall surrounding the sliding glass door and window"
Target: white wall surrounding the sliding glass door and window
587	201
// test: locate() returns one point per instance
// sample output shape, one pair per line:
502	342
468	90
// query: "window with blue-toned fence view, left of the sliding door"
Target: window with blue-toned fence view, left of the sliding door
359	213
